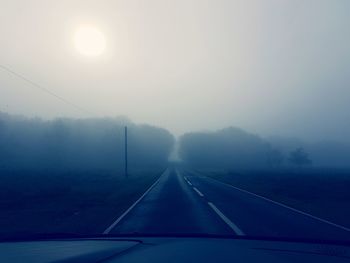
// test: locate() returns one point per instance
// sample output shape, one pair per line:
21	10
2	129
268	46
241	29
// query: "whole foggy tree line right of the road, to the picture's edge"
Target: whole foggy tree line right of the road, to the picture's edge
236	149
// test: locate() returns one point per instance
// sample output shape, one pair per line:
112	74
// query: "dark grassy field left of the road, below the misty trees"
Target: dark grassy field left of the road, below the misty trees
70	202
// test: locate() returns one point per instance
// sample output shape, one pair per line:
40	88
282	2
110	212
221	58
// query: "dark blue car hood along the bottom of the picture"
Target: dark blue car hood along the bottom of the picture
171	250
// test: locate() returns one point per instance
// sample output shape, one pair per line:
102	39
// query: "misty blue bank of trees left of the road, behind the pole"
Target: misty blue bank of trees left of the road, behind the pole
80	144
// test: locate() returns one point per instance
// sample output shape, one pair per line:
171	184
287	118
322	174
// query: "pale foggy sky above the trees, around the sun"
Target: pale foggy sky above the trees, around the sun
272	67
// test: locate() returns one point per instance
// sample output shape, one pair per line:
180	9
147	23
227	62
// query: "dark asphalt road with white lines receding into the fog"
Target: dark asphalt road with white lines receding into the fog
184	202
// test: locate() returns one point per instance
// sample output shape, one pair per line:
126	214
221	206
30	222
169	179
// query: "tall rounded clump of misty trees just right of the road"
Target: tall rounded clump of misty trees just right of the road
226	148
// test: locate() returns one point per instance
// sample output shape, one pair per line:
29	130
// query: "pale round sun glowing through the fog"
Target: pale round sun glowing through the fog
89	41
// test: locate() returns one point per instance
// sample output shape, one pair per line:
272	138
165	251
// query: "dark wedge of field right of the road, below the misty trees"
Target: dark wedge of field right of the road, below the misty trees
322	192
